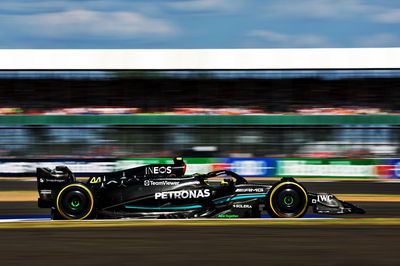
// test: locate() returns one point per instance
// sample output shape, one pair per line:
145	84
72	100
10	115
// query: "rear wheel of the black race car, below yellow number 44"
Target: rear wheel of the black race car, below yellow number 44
75	202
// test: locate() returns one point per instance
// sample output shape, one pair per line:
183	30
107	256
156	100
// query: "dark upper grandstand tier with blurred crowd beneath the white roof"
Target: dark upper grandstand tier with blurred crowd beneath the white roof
200	92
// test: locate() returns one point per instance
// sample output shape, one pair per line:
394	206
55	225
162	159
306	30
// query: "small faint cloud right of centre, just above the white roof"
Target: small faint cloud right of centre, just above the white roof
274	39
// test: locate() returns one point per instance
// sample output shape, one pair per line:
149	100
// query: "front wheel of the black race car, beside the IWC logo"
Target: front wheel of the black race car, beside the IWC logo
287	200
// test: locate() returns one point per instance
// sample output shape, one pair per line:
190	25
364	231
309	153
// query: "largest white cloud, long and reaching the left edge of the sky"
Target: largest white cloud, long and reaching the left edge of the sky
85	23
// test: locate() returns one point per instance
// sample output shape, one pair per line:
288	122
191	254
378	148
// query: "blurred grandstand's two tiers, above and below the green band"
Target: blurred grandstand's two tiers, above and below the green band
341	92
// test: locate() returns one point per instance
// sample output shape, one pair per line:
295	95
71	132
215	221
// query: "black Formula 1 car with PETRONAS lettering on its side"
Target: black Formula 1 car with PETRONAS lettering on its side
163	191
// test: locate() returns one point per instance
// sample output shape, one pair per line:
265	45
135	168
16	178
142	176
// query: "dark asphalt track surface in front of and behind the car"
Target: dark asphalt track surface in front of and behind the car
250	244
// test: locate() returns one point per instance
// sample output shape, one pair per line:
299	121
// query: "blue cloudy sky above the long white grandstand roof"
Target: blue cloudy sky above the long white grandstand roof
198	24
